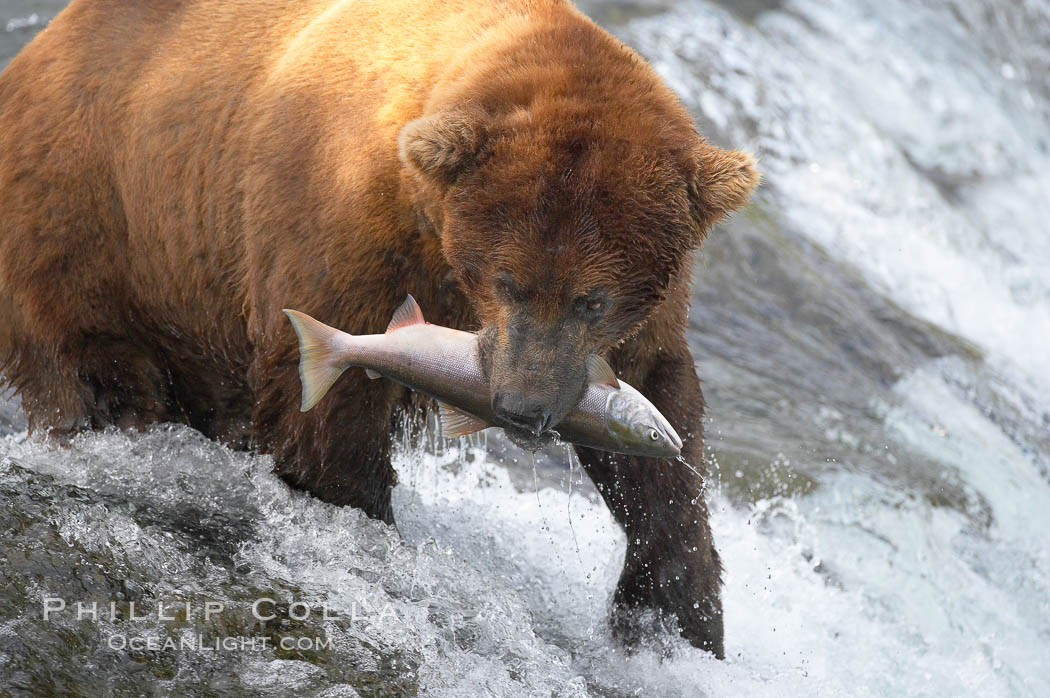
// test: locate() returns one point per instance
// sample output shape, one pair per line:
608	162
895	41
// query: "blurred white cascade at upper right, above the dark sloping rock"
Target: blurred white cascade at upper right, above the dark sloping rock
910	139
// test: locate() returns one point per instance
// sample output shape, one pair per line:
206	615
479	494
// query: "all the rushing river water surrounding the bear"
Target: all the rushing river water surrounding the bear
872	334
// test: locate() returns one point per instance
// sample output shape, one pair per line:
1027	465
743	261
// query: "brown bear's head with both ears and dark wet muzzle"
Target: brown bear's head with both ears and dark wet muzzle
565	230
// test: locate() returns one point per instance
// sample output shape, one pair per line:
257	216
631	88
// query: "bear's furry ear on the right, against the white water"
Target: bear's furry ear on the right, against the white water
724	182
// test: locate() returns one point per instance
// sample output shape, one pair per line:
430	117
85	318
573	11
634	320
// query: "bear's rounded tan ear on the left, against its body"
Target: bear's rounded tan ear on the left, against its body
444	146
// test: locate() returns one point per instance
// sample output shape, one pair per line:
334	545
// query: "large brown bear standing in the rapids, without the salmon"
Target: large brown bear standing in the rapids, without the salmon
174	174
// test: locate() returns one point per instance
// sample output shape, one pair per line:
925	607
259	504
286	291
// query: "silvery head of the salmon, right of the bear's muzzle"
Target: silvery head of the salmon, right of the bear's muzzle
639	428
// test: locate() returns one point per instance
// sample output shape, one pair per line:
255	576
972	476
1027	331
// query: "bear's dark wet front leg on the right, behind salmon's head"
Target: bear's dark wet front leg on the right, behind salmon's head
671	567
